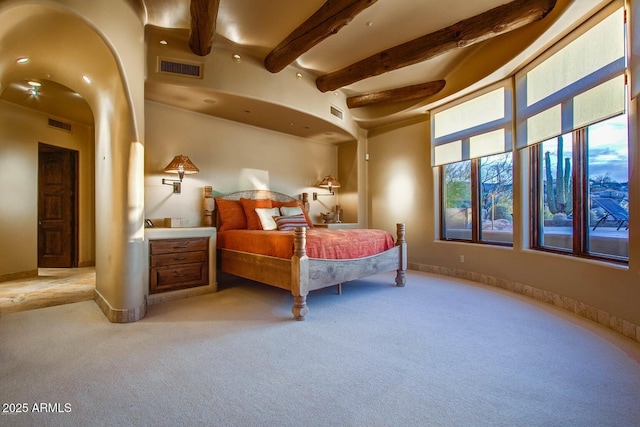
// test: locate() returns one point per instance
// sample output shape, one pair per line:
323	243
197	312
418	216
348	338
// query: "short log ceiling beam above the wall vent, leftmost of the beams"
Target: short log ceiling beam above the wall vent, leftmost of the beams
204	14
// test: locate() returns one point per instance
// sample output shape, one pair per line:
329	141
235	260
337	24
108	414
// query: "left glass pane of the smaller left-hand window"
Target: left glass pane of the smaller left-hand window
457	200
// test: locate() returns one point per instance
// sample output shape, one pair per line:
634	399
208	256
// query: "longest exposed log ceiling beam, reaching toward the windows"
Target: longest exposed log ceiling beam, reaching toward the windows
499	20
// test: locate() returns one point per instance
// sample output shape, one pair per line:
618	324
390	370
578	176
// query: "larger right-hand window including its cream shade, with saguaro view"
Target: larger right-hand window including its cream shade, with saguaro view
571	114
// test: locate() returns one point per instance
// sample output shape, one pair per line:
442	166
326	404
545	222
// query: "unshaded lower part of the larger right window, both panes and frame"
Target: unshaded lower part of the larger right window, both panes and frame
582	190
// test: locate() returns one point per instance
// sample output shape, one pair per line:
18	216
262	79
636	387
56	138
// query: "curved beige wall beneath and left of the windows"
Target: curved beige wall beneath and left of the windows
403	188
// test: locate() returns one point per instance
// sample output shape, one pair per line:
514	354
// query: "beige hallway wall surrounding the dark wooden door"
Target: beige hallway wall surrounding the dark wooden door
21	130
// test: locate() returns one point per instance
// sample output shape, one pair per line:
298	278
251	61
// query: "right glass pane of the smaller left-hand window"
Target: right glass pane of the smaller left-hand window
496	187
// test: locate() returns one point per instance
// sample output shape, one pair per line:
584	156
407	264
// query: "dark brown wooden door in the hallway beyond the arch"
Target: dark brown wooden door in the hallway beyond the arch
57	212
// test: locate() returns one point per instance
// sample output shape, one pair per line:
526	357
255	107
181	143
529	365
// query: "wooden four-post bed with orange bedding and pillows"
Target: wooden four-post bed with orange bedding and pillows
296	270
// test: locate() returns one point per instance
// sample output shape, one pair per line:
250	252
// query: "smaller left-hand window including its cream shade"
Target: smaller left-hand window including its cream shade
471	145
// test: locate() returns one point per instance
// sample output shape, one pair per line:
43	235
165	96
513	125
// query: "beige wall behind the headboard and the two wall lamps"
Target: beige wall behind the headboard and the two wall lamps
231	157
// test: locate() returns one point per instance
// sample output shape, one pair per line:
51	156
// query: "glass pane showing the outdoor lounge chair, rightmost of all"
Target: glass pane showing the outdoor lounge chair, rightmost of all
608	172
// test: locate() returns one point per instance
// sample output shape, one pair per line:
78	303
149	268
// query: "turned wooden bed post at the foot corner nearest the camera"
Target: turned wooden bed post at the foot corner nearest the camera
299	274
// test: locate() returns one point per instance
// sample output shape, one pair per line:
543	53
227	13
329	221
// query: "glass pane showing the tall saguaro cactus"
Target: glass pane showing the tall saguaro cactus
557	211
